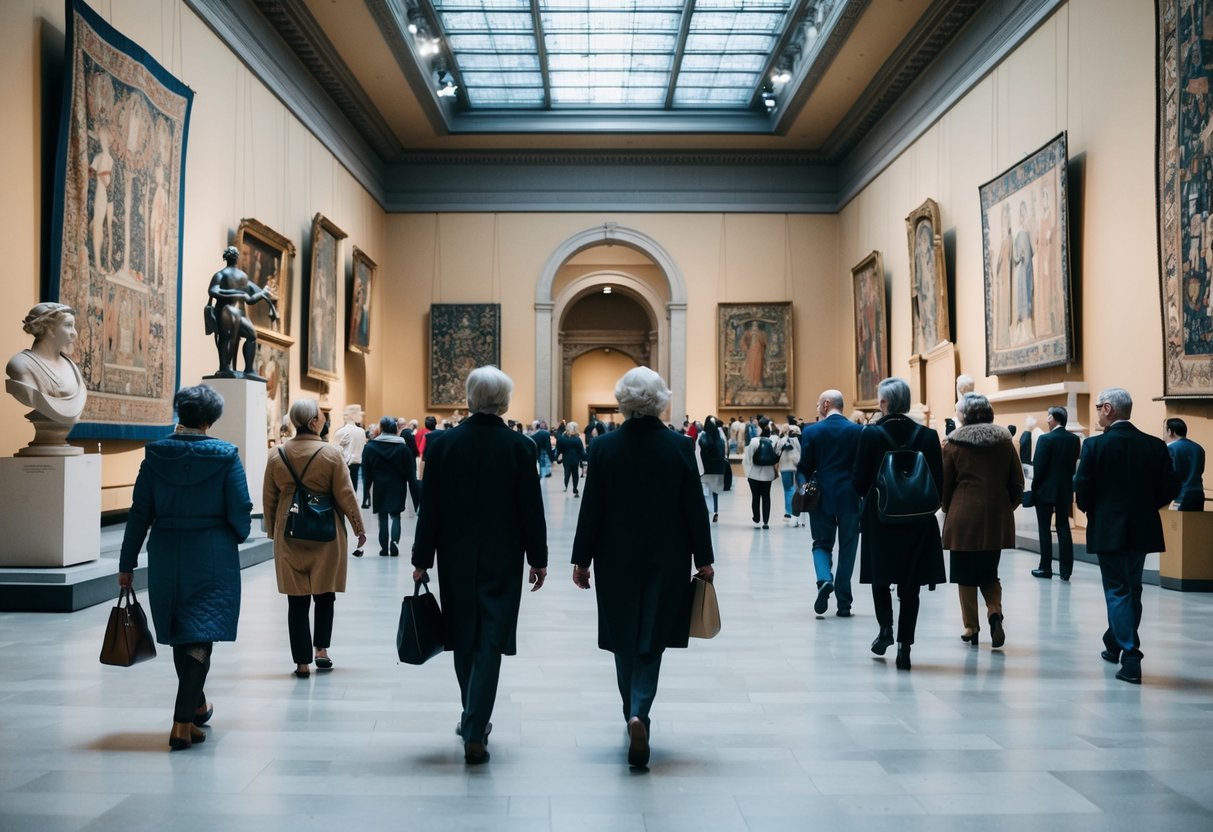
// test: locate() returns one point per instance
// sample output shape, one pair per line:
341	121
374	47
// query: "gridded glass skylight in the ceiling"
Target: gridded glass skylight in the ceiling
610	54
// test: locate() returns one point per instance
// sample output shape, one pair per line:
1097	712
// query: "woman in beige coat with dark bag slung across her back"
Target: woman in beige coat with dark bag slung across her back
310	571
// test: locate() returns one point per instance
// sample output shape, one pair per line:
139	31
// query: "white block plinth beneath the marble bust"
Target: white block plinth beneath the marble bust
53	510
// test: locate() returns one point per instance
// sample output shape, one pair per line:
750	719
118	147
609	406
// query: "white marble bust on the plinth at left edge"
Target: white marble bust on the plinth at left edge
44	379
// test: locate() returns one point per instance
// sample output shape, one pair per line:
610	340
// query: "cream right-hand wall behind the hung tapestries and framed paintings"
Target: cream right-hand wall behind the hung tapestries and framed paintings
1087	71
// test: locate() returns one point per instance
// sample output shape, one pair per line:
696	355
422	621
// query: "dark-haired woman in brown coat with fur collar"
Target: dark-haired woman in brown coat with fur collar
983	483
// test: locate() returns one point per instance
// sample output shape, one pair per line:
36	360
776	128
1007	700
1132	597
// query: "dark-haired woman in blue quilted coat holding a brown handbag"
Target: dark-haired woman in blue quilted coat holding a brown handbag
193	495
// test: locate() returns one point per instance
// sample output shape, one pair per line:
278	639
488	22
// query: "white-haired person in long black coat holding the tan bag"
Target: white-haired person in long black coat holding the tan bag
643	525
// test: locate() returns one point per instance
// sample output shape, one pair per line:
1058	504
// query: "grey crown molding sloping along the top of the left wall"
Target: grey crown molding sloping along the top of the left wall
263	50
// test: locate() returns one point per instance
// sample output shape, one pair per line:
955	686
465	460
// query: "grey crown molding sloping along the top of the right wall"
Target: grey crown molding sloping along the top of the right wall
994	33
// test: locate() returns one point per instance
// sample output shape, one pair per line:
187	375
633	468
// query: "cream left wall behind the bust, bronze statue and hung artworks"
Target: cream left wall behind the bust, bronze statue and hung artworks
247	158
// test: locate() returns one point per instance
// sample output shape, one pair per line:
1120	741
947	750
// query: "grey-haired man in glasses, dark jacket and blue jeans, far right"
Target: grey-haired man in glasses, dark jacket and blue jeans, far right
1125	477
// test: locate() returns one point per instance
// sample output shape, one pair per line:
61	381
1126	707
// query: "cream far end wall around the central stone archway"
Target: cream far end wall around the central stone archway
460	258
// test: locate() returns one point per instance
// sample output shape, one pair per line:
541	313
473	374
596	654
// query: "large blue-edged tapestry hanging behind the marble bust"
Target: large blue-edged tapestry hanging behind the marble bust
116	242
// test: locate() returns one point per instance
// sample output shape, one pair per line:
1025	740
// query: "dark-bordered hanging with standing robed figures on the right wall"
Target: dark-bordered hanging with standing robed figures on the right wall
1027	263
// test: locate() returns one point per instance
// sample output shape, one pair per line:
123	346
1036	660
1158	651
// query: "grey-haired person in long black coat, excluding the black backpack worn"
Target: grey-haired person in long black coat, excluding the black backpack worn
904	552
